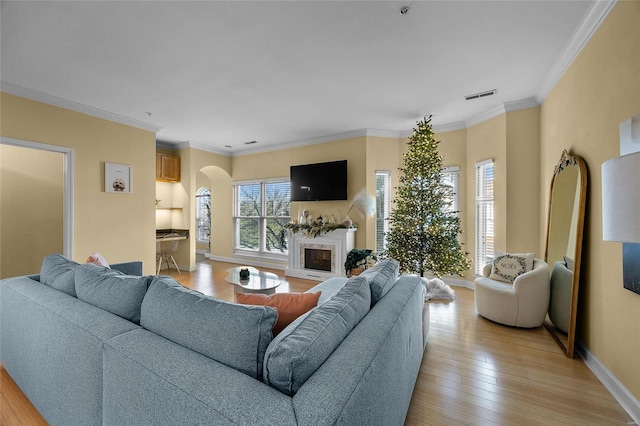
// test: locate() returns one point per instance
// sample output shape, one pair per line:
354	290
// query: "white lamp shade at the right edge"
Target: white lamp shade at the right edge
621	199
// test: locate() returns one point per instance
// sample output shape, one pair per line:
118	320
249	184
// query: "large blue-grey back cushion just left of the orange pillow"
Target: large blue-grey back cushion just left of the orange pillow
235	335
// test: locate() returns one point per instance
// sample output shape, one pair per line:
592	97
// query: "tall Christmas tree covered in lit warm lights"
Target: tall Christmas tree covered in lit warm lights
424	228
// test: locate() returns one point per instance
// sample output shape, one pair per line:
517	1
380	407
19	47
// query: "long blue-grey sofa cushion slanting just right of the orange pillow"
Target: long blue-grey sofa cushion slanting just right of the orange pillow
301	348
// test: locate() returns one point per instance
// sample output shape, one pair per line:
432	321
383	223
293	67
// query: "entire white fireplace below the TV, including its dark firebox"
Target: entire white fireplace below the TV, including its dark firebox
321	257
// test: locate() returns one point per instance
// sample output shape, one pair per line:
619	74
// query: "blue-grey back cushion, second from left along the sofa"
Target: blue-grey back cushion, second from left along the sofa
111	290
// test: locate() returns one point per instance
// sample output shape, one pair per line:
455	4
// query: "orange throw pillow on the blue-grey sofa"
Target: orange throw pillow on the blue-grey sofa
289	305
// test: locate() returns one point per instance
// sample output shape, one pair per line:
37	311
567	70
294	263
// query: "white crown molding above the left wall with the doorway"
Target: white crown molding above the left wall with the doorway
34	95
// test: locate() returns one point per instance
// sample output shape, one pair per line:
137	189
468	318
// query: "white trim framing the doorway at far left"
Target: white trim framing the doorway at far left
67	205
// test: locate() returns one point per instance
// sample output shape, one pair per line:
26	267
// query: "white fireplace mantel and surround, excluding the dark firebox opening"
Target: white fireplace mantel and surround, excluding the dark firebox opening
339	241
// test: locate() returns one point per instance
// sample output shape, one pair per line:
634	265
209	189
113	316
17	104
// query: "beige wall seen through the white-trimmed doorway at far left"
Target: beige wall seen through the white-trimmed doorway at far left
32	194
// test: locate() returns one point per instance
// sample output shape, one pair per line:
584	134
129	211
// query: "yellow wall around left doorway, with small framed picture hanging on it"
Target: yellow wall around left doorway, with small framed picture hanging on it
119	226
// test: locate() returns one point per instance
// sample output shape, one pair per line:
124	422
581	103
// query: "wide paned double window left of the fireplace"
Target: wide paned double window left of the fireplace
261	210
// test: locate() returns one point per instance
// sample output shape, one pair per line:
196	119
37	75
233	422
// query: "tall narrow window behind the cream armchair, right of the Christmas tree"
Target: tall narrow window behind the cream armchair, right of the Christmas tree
484	214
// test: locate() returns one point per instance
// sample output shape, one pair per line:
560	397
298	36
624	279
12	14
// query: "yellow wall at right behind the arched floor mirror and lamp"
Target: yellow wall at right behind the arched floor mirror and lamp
600	90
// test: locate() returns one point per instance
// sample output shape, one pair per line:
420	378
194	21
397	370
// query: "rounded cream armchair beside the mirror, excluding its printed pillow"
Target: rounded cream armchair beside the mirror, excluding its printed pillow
521	304
